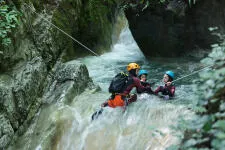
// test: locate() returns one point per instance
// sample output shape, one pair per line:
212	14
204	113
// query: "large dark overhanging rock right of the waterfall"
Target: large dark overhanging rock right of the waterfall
175	28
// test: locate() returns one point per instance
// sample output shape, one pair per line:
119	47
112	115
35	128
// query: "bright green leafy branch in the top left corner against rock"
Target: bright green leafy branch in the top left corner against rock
8	20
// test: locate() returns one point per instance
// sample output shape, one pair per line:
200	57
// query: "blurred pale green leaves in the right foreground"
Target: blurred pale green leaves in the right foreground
207	131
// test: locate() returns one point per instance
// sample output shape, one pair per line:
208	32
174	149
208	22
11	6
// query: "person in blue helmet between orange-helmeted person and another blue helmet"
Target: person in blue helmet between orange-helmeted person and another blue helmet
142	75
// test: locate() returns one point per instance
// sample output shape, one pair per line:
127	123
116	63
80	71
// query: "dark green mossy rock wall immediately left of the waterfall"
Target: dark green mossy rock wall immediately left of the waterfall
89	22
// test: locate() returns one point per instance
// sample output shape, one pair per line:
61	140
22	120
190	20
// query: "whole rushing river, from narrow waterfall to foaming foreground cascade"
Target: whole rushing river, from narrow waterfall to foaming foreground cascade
146	124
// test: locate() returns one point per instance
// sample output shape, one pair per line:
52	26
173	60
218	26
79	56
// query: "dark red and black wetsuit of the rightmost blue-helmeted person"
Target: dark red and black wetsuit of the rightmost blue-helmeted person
166	90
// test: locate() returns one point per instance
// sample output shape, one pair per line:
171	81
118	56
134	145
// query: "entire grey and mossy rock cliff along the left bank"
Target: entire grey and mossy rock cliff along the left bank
28	67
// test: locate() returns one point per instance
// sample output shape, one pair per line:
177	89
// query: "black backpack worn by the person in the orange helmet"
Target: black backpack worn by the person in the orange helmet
118	83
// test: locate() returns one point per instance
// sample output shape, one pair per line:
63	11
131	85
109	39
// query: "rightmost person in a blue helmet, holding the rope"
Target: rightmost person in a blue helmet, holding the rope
168	90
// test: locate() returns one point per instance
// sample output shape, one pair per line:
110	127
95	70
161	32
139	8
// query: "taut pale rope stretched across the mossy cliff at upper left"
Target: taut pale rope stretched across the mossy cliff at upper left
27	6
